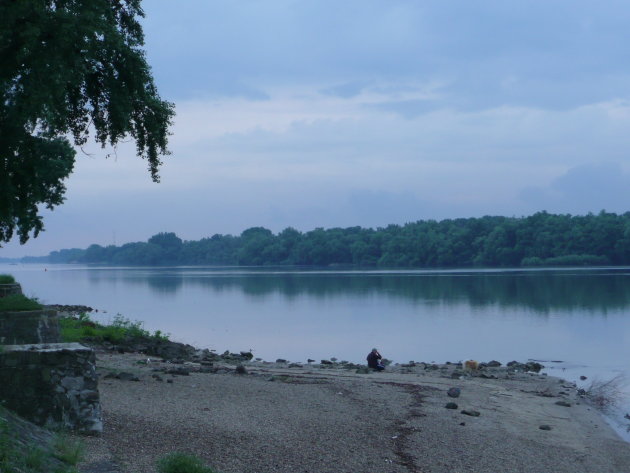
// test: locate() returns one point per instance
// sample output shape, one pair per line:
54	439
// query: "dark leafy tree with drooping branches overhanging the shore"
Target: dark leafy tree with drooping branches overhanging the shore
68	69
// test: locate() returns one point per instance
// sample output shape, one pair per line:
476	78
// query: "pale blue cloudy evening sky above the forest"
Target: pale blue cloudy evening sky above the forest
328	113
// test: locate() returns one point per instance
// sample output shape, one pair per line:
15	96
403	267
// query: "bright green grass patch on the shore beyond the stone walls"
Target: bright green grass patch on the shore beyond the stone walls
76	329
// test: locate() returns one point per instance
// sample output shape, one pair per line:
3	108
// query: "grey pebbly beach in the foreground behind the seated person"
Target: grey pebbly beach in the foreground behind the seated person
325	418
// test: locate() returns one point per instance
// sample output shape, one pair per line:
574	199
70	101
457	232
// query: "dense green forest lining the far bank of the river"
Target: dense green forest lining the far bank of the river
542	239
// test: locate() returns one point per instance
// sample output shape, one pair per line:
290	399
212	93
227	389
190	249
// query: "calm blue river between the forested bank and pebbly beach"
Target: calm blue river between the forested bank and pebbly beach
580	318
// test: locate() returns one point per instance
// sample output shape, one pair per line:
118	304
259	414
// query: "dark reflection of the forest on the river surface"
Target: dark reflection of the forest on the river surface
539	291
